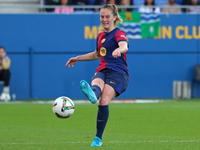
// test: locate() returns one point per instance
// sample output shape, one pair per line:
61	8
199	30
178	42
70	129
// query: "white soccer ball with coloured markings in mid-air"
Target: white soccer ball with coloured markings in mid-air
63	107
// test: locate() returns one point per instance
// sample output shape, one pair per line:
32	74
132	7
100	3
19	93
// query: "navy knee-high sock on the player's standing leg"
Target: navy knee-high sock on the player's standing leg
102	118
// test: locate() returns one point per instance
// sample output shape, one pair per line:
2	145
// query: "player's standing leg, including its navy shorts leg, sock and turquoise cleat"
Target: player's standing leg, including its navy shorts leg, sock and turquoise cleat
115	84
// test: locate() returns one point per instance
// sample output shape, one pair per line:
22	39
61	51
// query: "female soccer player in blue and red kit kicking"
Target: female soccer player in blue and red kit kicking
111	77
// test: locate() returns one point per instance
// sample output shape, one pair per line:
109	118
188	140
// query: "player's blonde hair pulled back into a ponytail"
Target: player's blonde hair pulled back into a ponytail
114	10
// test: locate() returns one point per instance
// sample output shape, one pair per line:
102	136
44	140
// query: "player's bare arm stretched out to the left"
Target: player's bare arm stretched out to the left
87	57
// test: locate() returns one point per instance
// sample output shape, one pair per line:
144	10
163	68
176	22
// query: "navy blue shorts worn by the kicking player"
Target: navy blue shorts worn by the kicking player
115	79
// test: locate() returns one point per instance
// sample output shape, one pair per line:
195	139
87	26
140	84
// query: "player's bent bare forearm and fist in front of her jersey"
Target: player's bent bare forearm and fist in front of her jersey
123	48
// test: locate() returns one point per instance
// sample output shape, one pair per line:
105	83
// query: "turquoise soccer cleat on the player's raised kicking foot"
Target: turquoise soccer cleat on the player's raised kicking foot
86	89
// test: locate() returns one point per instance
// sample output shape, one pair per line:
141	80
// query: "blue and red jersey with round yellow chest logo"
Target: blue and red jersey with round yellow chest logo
106	44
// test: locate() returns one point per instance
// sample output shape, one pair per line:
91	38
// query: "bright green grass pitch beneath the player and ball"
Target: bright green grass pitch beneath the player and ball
138	126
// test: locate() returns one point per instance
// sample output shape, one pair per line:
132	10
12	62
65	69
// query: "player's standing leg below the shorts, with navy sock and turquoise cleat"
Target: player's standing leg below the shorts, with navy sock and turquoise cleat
107	95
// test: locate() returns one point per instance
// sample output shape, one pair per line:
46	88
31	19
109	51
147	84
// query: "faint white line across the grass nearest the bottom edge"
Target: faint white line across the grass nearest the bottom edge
83	142
